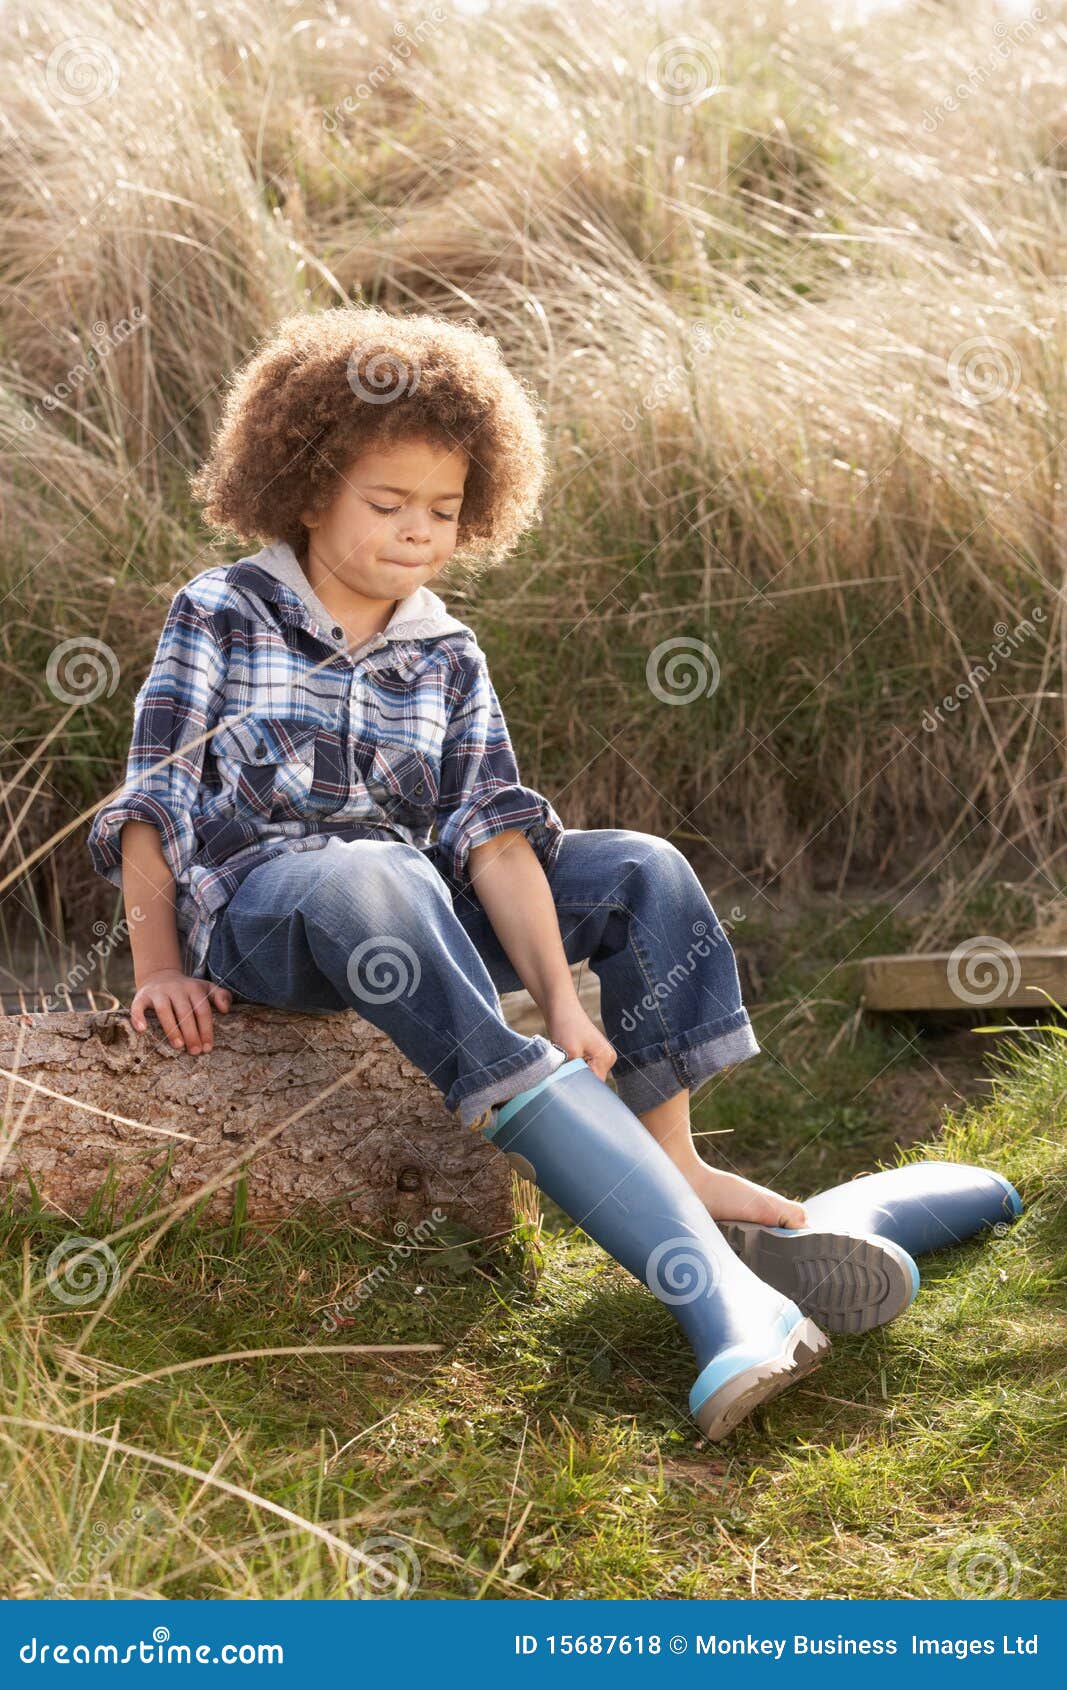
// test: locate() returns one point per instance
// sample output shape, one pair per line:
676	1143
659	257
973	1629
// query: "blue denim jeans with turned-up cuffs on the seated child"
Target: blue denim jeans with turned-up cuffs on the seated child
383	929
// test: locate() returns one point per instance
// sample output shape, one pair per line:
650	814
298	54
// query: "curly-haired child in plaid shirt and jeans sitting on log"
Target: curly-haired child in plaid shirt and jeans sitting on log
314	712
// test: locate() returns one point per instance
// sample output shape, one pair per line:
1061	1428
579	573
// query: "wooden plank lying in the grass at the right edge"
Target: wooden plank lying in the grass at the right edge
983	973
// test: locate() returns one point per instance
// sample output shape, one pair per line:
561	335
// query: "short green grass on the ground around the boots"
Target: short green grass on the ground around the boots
544	1449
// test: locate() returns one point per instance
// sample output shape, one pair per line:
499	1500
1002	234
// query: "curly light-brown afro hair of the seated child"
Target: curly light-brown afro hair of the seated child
327	386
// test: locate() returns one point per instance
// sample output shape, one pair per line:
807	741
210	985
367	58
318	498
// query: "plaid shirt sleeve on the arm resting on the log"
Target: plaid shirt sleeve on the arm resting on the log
173	712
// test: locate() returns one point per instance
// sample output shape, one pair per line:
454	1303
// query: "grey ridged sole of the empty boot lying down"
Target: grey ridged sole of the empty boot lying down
846	1282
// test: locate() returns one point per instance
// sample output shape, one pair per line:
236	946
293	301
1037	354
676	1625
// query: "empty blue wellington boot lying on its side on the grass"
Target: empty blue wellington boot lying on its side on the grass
851	1267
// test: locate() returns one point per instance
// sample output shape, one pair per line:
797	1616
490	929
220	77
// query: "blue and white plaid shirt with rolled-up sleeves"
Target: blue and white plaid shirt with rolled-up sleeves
260	731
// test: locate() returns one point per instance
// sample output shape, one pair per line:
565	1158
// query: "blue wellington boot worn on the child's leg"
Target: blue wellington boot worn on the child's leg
584	1148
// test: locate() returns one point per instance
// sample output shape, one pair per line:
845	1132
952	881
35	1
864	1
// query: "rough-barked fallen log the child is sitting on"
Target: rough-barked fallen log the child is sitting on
300	1108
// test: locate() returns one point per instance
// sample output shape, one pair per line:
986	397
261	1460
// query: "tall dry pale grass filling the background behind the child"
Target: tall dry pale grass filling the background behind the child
799	332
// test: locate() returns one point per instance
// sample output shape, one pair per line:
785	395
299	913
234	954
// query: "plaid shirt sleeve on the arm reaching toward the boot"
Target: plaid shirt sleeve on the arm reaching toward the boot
481	792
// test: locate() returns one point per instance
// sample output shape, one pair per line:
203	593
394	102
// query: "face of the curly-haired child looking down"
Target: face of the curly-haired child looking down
395	520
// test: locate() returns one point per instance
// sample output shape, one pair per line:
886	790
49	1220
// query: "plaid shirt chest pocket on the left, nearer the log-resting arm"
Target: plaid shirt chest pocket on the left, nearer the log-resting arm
276	768
